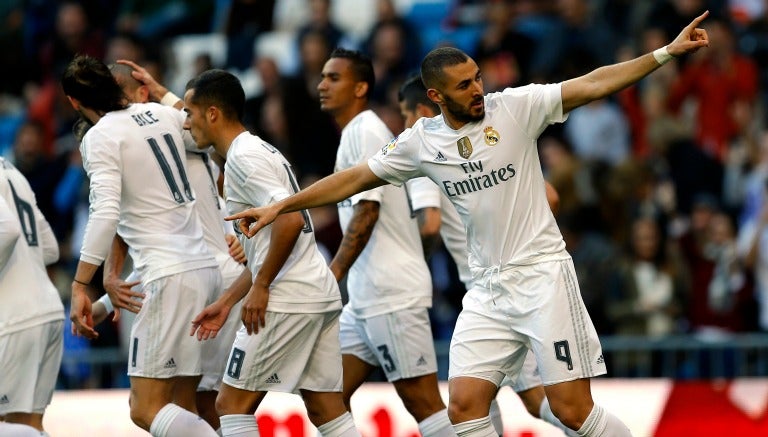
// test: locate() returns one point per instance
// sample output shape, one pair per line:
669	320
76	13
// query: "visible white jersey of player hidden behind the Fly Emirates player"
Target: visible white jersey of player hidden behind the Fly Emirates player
451	228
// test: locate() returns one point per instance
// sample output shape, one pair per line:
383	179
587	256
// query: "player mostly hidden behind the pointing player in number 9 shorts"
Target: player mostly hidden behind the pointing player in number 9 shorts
437	217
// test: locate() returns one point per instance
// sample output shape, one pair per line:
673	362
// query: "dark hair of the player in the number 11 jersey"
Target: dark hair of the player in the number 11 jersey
89	80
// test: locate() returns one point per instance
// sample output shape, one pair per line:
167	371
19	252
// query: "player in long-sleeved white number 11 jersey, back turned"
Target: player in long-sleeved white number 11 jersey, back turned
139	189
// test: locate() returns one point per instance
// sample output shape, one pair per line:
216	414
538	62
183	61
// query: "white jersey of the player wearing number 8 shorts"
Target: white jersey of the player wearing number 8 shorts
257	174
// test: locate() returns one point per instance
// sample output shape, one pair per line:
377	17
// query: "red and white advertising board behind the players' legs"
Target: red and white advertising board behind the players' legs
650	407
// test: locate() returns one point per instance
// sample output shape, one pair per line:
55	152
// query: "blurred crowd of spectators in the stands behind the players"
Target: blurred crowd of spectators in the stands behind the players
662	187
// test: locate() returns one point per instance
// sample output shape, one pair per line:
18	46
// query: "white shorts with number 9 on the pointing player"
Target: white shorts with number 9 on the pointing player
537	306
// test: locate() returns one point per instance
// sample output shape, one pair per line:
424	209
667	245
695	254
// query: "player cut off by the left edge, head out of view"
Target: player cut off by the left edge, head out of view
31	335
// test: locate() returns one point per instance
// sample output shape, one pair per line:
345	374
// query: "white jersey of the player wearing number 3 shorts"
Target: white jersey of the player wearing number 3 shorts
390	274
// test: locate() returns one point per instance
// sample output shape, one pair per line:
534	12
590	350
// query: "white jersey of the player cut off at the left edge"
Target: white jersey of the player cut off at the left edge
27	296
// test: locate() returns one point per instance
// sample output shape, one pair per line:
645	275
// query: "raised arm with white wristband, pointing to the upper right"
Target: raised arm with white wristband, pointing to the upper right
607	80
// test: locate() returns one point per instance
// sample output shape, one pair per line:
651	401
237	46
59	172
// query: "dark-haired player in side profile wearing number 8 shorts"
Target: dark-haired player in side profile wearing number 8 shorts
289	339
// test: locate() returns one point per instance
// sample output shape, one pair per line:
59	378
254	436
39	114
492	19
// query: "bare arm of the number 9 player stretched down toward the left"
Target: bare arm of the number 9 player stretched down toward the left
331	189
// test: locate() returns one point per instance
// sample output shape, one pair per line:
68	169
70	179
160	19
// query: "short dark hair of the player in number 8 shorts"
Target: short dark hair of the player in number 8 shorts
221	89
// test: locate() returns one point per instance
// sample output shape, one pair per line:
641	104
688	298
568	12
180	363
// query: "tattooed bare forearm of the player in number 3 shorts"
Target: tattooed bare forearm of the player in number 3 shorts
355	238
